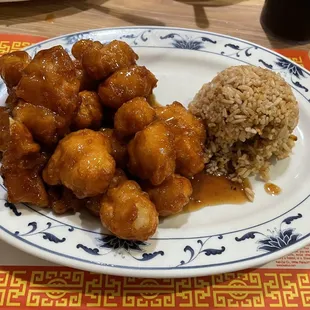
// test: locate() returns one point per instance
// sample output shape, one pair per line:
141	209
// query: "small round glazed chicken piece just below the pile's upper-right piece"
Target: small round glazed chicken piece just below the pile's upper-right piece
133	116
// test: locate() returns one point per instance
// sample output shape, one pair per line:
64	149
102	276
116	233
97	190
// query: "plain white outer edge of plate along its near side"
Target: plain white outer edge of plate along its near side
190	271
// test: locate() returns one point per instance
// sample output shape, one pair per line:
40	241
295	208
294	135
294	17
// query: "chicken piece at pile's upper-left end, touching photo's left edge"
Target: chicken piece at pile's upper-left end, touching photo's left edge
12	66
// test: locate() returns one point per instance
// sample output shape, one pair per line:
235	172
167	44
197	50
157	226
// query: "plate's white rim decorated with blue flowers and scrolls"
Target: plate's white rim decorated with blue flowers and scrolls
272	238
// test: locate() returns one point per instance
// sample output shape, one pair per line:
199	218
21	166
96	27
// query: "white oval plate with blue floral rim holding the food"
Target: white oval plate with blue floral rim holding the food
211	240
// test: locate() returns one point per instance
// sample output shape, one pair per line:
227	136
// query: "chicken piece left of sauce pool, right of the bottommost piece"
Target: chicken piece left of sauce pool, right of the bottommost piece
170	196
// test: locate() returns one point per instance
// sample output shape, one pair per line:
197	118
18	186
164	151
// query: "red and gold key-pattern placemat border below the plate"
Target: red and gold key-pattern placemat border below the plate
60	287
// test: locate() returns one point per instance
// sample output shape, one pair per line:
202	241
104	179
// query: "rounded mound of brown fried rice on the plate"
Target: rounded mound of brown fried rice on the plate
250	114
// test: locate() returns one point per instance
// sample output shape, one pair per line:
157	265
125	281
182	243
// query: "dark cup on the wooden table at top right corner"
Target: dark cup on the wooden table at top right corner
287	19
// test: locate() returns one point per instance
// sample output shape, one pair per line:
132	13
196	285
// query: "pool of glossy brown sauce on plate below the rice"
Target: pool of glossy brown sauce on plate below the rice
209	190
